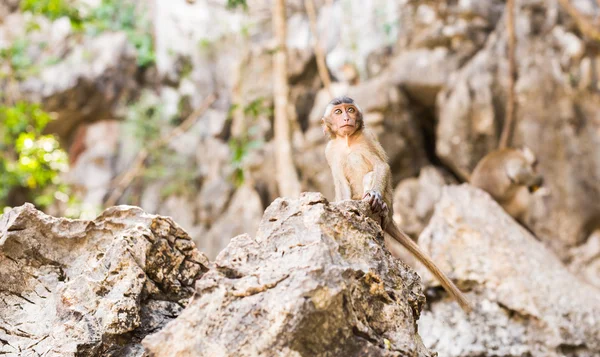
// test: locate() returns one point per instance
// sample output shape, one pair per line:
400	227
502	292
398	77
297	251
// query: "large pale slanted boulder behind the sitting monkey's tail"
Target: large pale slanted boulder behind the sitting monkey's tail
527	303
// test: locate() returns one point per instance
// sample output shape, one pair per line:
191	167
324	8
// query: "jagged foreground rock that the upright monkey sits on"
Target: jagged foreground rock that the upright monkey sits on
316	281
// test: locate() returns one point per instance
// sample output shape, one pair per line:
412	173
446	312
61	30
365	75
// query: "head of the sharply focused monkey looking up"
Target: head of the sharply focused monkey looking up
342	117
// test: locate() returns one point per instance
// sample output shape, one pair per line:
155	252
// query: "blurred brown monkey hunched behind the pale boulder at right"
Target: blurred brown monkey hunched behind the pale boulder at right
509	176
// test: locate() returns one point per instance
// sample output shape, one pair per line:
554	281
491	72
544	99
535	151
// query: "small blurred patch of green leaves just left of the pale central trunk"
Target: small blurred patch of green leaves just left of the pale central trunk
241	146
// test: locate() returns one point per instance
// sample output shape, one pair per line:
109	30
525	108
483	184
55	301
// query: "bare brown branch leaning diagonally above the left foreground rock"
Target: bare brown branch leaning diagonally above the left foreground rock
123	181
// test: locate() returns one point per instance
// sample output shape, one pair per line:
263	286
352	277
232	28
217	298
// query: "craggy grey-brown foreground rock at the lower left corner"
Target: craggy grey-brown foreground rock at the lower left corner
91	288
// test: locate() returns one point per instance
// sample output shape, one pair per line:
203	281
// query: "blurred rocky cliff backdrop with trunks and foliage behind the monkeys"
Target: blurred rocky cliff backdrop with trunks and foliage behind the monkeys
170	105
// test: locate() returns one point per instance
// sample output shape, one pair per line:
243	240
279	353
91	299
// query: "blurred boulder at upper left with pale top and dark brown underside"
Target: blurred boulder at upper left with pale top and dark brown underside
71	87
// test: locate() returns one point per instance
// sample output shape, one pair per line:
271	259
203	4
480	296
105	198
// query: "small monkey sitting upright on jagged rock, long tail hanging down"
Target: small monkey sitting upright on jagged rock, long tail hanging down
360	170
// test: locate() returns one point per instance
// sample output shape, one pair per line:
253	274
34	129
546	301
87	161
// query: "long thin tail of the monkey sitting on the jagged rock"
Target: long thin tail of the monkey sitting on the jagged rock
409	244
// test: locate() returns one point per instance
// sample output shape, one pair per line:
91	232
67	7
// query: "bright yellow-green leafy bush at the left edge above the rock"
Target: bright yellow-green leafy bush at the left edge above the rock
29	160
